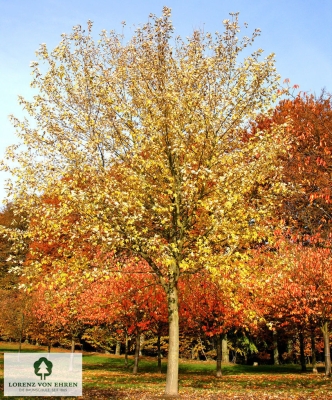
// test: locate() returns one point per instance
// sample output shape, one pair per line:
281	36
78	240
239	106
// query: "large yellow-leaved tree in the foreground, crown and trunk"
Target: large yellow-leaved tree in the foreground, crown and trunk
142	144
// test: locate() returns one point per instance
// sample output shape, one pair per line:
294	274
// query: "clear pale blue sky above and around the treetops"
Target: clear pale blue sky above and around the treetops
299	32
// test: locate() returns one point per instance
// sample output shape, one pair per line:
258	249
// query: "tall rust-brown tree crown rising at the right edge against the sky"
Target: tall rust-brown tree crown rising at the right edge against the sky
307	166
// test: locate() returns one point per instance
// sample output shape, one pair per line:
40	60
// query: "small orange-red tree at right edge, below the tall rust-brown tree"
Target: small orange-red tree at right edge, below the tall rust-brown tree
296	294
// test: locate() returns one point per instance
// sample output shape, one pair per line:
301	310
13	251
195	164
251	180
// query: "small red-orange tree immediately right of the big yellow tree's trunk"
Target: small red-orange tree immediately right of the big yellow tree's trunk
210	308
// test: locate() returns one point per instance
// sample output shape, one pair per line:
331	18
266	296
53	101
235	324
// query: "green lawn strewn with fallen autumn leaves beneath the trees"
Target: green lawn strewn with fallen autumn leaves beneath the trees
106	377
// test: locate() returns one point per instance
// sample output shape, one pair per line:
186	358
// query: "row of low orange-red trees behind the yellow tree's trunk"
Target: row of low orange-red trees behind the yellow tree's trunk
124	306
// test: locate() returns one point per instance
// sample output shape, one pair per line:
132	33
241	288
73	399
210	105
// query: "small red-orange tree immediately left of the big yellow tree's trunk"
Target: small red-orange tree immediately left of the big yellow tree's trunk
130	299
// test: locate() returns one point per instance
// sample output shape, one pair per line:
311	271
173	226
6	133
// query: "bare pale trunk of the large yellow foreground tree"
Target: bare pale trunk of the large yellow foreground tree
173	344
